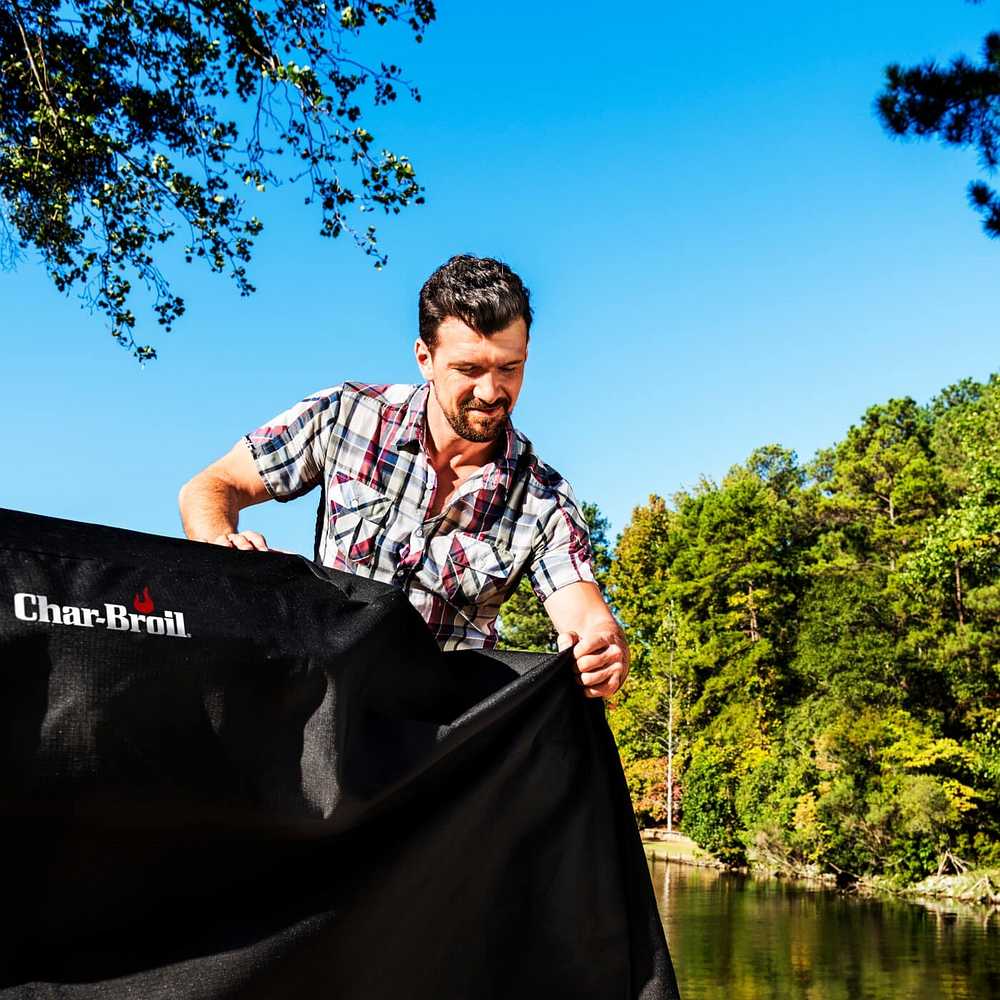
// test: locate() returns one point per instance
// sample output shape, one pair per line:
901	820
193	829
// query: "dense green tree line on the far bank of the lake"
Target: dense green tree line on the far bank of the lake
832	633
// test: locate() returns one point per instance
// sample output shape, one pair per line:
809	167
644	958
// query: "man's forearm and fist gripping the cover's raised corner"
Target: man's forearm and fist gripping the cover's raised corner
585	622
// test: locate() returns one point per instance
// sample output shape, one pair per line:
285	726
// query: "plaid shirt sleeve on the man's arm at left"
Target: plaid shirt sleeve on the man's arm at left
290	449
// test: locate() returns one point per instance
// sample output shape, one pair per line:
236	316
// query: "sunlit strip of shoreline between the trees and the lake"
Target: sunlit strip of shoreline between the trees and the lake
977	891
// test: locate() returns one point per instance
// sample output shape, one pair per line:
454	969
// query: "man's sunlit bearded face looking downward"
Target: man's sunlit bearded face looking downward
476	379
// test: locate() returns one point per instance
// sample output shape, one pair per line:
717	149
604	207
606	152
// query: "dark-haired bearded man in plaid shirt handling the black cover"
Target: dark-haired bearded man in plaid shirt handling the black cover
430	487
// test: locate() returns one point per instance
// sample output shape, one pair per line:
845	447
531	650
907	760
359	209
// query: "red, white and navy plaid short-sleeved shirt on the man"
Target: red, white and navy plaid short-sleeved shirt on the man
365	445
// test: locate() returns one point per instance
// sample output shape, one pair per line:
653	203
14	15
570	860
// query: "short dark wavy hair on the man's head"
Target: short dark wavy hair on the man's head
482	292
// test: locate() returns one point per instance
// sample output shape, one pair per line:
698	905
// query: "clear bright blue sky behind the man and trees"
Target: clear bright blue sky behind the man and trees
723	247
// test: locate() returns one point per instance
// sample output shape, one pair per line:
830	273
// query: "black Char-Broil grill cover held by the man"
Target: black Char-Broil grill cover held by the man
303	798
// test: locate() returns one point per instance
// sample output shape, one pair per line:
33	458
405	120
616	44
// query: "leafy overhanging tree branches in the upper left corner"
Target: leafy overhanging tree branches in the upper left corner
129	124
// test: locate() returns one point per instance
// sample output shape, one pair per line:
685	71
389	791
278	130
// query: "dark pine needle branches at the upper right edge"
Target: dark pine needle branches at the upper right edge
959	105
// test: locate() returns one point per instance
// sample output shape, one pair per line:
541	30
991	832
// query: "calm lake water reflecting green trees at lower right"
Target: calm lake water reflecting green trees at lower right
741	938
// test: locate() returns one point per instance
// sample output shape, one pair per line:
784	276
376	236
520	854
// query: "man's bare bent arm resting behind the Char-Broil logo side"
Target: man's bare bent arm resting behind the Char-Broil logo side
210	502
